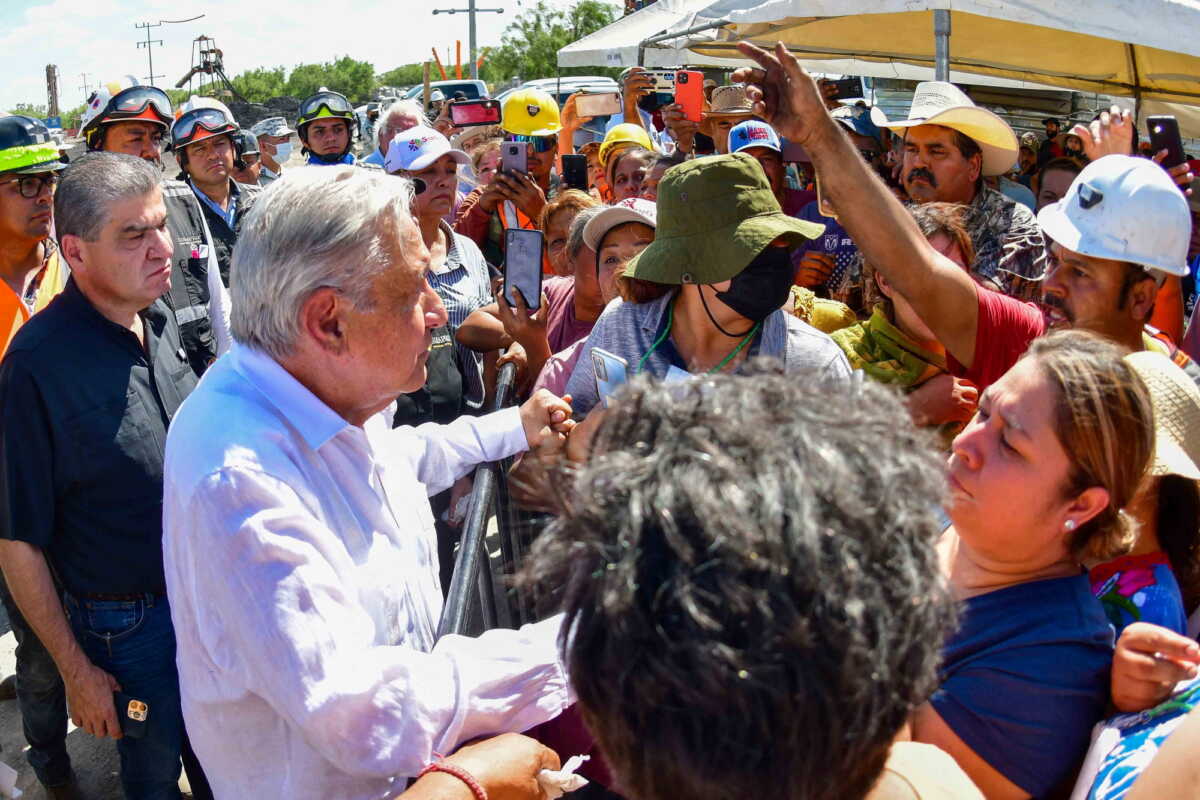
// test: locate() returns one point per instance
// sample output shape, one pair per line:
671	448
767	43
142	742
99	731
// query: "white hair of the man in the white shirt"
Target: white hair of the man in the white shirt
316	227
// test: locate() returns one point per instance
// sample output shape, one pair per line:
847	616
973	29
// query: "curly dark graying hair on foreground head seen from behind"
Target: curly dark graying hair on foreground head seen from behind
753	599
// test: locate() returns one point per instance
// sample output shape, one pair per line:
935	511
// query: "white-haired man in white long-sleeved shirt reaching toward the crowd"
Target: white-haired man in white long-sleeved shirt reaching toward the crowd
299	546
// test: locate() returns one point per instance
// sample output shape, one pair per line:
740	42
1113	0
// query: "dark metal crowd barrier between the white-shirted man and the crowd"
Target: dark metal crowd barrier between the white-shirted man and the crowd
473	585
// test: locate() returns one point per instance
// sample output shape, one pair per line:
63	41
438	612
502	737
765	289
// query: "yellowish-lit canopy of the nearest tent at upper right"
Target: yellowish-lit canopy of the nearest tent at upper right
1143	49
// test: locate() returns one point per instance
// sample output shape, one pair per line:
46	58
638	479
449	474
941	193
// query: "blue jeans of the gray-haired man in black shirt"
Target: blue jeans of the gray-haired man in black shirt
135	642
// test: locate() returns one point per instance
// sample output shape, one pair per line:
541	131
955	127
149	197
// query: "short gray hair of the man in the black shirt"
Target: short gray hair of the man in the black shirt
93	184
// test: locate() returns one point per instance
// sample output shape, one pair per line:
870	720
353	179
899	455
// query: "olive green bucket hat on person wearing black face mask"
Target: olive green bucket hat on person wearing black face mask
716	215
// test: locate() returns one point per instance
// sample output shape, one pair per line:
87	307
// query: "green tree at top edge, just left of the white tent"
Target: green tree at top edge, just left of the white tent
530	47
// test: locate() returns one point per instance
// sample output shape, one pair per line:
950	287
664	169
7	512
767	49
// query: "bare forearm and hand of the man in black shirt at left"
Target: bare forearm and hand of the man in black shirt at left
89	688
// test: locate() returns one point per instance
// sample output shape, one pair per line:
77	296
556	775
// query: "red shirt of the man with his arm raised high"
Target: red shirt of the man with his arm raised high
1005	330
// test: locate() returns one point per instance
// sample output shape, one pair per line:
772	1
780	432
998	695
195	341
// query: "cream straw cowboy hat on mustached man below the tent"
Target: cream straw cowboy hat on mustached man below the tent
938	103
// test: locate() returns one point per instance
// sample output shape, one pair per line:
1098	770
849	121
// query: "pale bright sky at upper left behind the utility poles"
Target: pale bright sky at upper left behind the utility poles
98	38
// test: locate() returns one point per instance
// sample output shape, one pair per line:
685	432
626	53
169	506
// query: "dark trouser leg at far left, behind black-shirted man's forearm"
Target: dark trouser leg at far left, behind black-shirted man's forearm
43	700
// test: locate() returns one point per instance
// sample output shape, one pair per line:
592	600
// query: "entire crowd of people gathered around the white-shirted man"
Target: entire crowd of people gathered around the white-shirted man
899	500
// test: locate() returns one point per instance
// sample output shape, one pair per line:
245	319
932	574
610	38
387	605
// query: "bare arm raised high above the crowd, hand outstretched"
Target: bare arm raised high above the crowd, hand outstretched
939	291
